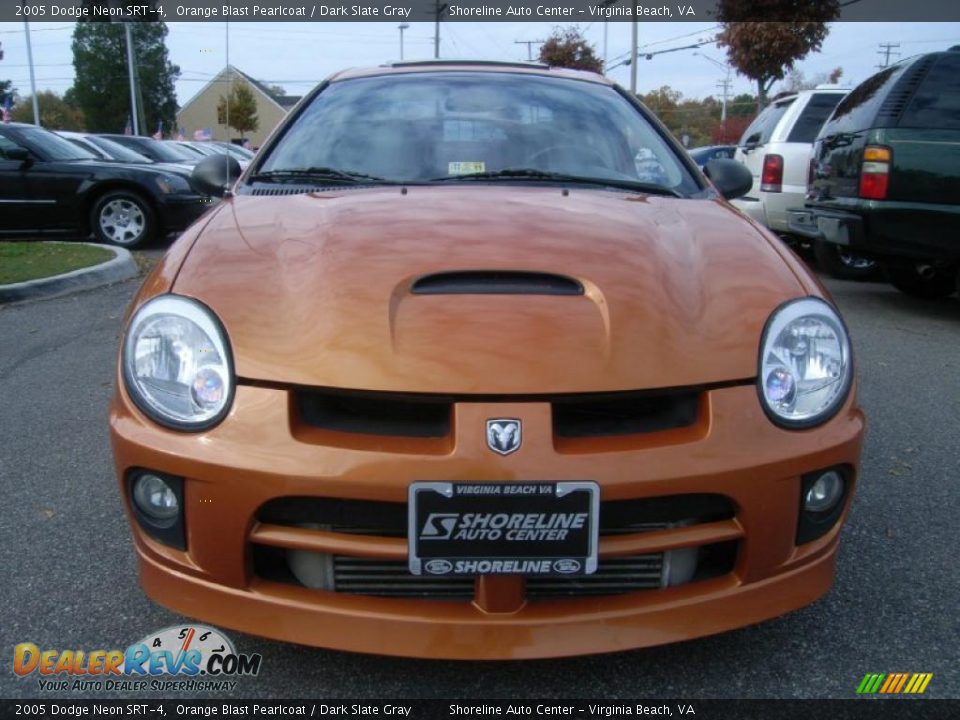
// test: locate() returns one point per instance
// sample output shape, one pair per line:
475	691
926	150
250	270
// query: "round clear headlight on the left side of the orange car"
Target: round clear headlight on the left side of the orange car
177	366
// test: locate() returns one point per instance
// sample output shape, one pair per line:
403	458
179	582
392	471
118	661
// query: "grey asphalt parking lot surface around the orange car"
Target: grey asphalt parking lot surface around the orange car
68	578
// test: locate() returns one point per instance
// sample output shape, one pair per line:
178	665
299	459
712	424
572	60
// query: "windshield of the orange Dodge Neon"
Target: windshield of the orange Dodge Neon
443	126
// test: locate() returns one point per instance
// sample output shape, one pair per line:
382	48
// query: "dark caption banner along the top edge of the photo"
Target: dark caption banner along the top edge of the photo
559	11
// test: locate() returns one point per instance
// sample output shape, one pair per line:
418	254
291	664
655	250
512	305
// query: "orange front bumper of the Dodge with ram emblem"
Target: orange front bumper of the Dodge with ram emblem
261	453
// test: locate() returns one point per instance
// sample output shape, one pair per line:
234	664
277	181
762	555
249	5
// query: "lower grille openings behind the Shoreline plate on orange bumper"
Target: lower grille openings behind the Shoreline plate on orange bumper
380	577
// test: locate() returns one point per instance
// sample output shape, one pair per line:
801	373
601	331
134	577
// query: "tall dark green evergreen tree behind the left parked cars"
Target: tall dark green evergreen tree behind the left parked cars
101	89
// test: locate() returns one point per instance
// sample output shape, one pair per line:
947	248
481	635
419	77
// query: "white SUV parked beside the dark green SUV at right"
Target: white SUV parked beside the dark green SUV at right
776	147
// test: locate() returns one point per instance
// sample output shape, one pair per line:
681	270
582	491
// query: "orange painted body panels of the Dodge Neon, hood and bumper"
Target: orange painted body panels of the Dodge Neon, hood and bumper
313	291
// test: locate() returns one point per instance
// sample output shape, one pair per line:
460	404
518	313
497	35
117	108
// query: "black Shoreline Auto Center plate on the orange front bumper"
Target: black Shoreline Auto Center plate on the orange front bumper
503	528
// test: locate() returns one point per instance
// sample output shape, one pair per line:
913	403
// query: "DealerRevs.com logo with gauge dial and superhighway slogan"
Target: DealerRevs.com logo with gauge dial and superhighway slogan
177	658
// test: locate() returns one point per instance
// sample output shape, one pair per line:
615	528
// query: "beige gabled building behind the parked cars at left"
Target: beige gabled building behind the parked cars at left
200	111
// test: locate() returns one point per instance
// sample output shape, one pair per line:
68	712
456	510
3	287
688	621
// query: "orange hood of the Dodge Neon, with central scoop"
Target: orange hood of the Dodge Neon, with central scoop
315	289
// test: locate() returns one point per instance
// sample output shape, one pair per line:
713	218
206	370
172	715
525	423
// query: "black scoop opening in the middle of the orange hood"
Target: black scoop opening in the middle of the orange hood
495	282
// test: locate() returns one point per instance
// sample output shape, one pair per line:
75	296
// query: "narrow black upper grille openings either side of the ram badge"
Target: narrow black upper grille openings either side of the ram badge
430	416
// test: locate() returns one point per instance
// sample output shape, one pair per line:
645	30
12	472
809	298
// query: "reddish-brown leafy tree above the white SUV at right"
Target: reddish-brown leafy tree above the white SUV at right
765	51
